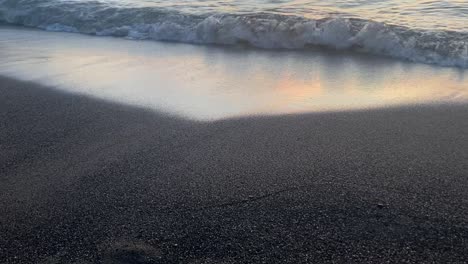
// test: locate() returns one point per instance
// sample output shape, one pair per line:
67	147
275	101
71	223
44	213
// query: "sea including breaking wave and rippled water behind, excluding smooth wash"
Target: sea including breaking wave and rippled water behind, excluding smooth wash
425	31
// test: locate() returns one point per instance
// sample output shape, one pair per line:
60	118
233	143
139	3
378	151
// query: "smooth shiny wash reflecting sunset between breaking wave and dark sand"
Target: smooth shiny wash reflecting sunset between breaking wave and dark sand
209	83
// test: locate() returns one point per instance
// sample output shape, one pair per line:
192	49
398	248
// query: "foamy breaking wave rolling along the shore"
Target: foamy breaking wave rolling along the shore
261	30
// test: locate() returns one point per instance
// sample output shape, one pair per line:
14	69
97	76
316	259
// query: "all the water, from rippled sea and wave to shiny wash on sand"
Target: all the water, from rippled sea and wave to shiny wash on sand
252	57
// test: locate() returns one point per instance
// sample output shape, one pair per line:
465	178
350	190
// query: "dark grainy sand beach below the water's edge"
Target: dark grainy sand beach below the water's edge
87	181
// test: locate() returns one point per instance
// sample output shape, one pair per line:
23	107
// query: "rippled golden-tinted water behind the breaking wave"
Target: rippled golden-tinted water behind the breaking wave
427	14
